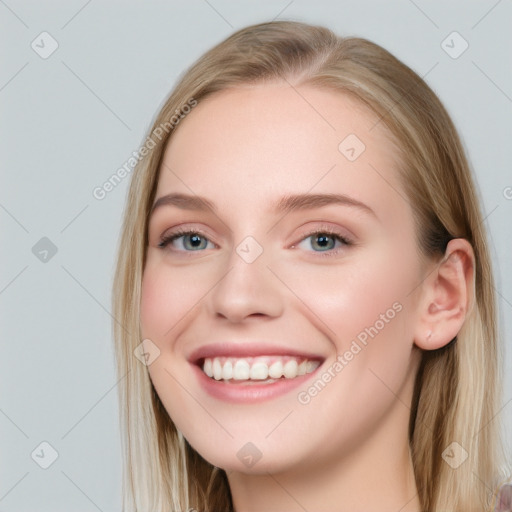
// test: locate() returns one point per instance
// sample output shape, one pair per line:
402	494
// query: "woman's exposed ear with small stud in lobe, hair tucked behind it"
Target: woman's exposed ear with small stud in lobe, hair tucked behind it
447	296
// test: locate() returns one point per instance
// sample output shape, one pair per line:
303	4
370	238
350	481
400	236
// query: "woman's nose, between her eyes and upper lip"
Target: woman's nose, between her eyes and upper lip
246	289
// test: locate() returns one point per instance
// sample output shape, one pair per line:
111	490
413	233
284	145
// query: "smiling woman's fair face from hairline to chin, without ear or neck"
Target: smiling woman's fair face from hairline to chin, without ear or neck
282	302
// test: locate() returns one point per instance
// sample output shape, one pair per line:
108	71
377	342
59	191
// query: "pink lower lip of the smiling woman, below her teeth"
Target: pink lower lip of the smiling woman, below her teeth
249	393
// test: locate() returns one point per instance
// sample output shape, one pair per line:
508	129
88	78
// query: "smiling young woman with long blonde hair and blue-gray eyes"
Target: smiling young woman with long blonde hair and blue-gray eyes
304	290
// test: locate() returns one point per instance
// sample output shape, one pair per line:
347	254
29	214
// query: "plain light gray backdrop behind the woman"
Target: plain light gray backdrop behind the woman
70	121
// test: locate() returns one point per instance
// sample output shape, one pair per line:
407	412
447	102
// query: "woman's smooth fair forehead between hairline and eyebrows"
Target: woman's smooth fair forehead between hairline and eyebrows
246	147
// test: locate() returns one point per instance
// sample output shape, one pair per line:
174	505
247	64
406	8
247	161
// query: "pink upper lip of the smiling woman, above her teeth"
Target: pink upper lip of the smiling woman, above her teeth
247	349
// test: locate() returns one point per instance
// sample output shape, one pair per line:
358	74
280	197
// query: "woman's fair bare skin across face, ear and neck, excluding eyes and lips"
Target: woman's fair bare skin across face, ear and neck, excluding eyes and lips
243	149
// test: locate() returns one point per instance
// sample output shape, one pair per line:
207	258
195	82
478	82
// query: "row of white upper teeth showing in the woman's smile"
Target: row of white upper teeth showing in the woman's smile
263	368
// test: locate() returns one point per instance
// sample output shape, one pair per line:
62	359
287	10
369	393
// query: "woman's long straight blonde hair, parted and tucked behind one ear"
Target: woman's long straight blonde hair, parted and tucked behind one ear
458	387
